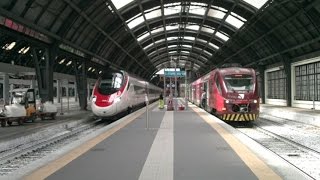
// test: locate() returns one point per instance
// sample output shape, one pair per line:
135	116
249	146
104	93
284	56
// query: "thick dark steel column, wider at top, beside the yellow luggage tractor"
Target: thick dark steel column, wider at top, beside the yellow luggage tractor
44	60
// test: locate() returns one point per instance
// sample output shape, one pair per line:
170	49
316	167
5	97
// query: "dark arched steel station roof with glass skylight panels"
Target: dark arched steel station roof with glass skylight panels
145	36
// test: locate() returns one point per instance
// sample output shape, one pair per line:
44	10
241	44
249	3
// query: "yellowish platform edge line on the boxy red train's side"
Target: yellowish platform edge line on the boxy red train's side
257	166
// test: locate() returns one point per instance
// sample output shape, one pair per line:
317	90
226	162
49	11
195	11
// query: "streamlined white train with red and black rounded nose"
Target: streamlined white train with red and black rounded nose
117	92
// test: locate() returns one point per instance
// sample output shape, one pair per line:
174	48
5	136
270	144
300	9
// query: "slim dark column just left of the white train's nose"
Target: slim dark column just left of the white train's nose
81	81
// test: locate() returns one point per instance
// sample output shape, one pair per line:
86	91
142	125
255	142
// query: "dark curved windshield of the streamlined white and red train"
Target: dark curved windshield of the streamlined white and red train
110	83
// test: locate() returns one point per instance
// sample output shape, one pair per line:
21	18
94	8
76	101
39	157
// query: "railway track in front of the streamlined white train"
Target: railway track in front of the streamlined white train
16	158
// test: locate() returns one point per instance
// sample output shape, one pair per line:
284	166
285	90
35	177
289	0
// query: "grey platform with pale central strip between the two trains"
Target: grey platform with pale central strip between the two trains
187	145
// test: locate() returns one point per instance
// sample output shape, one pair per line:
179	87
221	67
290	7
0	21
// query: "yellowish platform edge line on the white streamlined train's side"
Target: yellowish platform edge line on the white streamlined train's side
54	166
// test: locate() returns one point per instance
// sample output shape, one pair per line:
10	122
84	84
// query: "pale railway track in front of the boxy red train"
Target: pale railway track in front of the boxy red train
287	142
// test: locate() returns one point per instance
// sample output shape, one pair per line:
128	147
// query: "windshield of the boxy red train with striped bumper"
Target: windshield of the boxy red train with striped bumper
239	82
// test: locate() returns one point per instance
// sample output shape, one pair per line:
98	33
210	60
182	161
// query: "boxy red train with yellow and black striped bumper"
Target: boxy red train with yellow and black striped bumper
231	93
